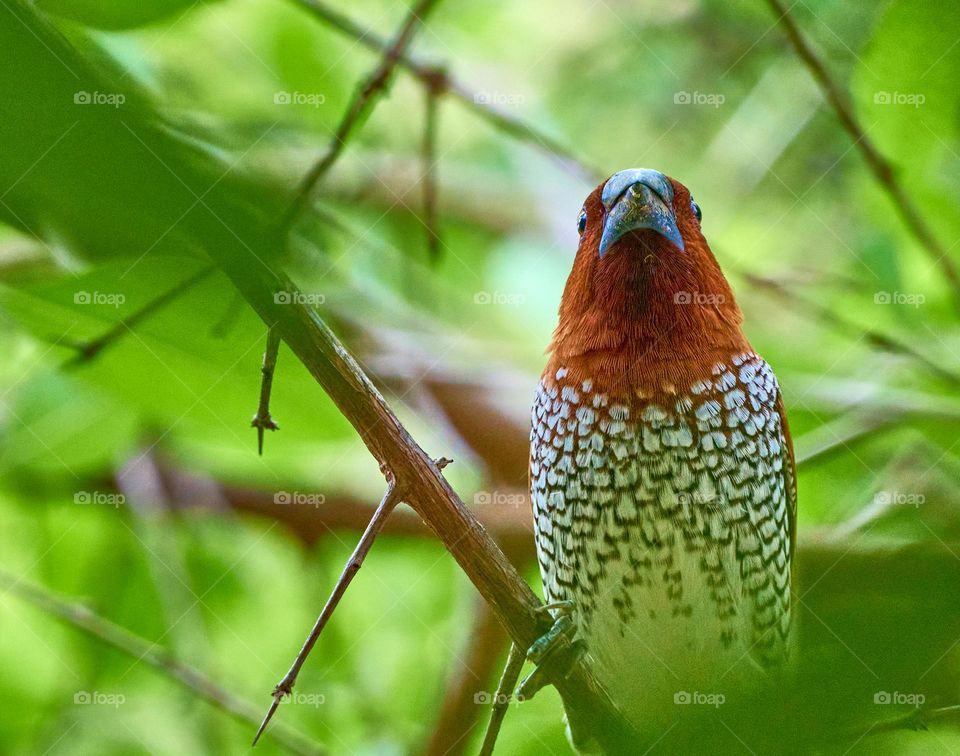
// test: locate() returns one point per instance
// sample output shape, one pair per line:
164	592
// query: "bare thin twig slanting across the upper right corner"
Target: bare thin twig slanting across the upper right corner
878	163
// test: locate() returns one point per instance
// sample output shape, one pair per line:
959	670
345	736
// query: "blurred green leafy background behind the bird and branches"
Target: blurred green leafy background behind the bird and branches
129	478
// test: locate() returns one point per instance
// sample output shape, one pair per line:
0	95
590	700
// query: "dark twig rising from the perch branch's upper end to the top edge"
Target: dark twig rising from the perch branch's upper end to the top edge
364	100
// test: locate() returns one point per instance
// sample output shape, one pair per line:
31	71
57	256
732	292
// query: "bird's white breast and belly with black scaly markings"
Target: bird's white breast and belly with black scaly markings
668	525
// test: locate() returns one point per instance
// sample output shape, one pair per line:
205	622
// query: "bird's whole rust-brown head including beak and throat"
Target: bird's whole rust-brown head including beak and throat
646	304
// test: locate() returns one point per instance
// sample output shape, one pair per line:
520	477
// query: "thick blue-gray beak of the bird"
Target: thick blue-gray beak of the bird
638	198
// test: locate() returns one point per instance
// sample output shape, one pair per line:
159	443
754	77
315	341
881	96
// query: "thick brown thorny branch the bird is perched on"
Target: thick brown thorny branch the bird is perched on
415	473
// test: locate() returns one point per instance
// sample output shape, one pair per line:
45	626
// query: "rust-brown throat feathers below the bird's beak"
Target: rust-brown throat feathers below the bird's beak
646	318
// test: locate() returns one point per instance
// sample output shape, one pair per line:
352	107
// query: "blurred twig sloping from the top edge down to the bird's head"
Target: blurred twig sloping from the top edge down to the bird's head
507	123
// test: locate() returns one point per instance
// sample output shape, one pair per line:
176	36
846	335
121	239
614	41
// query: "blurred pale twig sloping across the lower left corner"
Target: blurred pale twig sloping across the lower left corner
188	677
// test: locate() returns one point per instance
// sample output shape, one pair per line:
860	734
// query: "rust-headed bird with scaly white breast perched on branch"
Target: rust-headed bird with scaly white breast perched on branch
662	474
